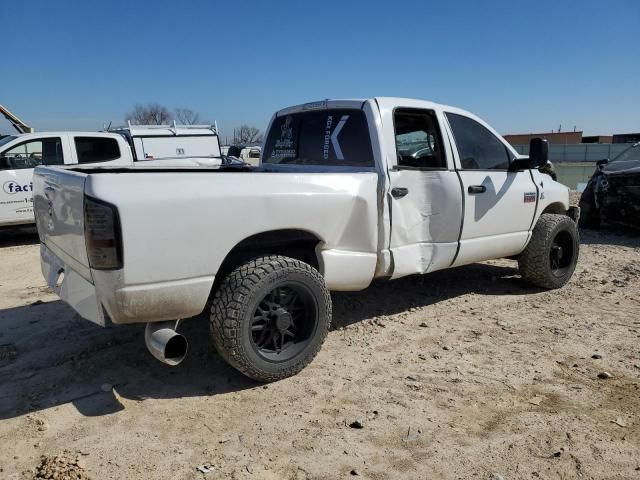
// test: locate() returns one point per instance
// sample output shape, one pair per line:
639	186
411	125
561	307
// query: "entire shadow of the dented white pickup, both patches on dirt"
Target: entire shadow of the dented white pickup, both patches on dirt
49	356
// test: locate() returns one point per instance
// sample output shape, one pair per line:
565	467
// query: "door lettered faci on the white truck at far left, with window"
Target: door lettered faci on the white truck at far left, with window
16	176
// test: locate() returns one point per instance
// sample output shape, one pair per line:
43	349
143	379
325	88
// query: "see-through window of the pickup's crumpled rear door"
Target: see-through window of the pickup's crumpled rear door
418	141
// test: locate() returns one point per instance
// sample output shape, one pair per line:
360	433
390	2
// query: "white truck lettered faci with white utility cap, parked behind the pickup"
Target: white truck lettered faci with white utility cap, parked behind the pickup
162	145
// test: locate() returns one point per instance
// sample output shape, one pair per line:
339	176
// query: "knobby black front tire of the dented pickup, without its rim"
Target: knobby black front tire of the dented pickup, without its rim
535	264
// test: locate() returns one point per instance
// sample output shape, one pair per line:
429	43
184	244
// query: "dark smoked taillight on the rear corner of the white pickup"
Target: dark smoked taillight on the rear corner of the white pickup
102	234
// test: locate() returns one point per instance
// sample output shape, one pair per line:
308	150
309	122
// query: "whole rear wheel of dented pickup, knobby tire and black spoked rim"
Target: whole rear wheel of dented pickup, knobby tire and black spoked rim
270	317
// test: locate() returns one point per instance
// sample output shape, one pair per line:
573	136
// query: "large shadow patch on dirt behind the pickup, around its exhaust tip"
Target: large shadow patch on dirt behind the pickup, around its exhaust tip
50	356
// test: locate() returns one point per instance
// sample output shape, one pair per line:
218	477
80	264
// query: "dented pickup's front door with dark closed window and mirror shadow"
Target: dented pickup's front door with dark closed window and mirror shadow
499	206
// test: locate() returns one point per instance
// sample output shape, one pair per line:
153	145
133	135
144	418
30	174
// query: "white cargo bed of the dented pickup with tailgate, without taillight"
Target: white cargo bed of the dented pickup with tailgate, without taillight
178	228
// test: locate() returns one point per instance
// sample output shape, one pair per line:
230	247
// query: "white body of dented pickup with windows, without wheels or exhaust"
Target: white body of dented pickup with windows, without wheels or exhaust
366	219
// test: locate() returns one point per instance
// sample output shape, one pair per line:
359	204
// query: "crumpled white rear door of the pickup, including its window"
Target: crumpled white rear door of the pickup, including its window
424	195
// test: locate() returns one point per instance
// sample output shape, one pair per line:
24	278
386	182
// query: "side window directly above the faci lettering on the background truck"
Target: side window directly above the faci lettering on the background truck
44	151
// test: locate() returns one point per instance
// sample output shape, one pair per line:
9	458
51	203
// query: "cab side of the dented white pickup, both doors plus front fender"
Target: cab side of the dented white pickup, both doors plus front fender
456	197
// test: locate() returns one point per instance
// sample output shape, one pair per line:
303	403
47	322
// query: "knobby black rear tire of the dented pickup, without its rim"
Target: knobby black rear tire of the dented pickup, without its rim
234	304
